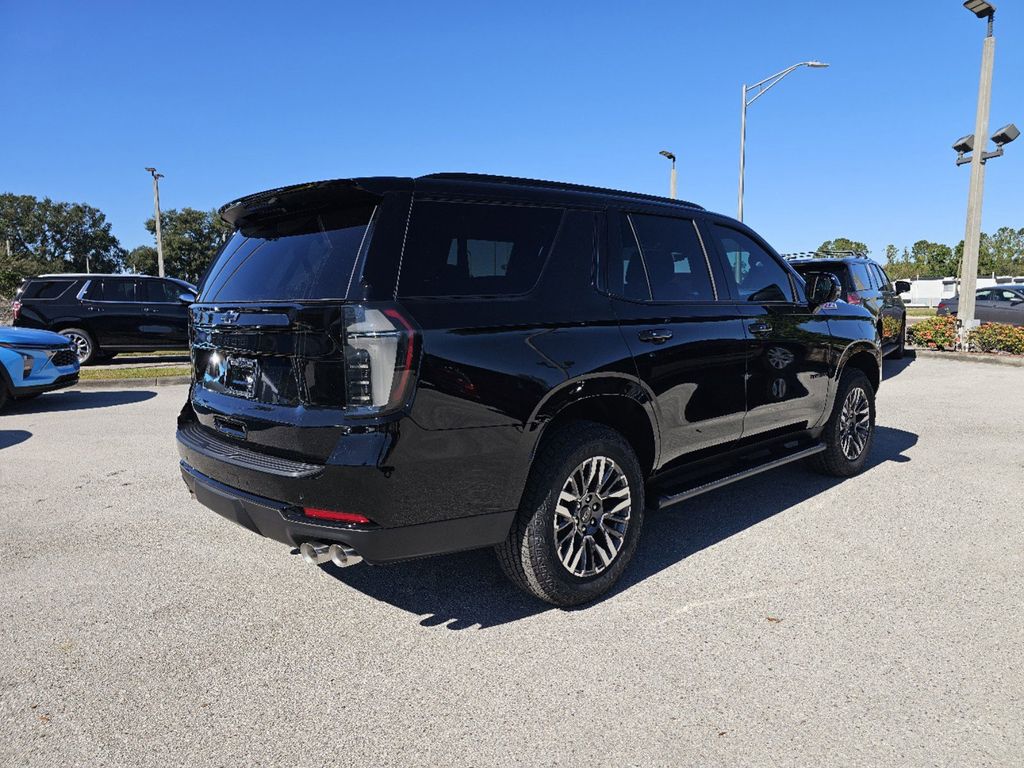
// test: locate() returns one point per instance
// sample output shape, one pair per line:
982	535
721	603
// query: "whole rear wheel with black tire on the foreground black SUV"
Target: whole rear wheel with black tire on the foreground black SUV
530	557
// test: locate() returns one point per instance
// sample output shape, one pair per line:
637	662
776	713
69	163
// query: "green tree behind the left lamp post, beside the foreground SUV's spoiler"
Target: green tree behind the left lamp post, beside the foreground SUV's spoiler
191	240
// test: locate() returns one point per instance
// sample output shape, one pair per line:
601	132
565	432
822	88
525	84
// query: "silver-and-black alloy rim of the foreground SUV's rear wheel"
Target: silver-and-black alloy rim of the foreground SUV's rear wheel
591	517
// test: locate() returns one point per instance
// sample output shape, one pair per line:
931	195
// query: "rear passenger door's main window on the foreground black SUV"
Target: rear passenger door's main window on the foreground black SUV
676	266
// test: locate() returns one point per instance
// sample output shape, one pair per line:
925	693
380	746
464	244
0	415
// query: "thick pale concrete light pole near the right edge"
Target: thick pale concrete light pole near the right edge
972	235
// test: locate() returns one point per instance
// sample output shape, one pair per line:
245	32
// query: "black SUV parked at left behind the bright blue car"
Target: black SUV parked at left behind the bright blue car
104	315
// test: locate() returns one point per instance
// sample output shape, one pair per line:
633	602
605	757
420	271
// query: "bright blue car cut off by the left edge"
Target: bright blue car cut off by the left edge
34	362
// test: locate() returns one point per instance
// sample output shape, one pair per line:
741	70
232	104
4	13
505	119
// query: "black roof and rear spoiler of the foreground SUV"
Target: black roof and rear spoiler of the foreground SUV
277	201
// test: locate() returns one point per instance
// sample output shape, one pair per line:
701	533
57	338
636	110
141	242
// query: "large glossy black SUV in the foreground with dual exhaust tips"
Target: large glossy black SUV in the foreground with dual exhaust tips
392	368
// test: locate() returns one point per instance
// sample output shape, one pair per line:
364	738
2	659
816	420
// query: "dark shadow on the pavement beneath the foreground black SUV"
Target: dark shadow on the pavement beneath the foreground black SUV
468	589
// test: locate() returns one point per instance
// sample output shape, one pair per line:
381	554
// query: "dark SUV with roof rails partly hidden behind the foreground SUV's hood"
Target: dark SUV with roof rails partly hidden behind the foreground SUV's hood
867	284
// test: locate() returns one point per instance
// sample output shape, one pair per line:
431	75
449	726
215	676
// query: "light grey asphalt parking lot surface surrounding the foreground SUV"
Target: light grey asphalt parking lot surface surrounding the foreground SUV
789	620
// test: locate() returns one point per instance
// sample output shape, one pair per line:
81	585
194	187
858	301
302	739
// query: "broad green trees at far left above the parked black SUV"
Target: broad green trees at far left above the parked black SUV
54	237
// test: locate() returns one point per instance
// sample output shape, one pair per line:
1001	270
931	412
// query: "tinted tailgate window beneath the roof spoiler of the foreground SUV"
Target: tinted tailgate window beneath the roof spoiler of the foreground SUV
304	259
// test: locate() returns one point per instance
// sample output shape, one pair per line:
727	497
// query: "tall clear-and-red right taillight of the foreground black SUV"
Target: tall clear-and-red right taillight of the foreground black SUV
380	355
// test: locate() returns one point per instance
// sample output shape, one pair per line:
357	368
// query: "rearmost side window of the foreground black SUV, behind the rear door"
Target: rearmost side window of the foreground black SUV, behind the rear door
473	249
